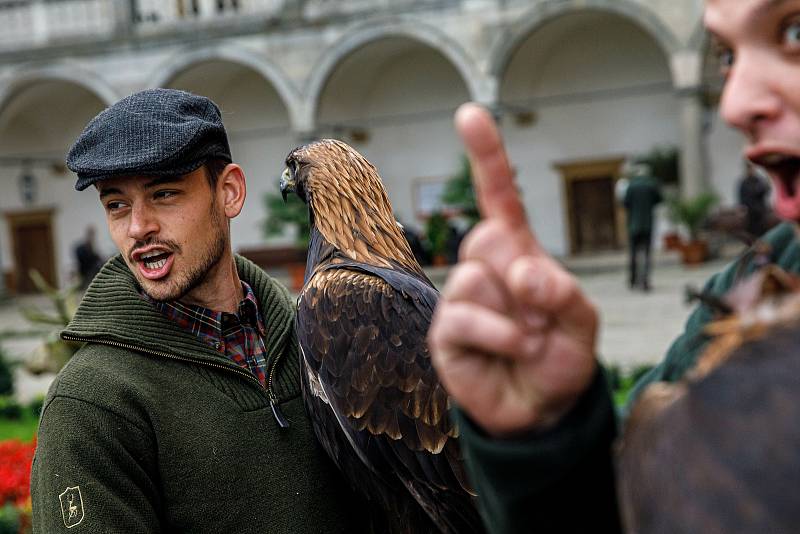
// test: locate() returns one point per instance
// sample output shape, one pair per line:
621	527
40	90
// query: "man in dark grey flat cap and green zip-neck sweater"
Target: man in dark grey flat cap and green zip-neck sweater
182	410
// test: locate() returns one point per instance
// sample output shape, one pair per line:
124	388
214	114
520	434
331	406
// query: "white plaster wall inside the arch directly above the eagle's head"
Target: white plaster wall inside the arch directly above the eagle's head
404	95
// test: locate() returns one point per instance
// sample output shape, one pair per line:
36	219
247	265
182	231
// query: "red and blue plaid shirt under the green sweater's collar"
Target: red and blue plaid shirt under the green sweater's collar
239	336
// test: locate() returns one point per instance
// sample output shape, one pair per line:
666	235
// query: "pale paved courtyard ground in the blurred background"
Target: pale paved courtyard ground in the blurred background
636	327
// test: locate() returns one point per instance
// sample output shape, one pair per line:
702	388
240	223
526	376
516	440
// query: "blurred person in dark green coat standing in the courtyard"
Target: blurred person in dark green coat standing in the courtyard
641	196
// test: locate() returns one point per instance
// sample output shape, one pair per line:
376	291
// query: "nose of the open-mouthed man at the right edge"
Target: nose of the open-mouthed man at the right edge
750	98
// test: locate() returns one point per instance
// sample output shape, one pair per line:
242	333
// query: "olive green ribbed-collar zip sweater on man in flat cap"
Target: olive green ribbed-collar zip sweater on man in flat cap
147	429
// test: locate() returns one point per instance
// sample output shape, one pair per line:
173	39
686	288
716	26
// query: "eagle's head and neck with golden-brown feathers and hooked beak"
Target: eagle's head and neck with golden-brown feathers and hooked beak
347	202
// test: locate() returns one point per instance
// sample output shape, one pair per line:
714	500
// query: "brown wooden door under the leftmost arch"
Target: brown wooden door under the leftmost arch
32	246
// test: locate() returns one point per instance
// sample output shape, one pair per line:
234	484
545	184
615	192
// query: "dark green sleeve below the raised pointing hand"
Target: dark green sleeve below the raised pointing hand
561	480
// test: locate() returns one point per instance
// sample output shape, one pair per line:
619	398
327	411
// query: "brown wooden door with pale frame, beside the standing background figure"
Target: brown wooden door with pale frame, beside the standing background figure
594	218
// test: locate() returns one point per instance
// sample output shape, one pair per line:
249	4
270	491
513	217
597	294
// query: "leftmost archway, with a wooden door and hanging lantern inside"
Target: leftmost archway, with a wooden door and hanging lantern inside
39	121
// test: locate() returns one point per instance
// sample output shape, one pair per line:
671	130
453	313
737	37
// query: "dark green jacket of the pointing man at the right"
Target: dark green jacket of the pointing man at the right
562	480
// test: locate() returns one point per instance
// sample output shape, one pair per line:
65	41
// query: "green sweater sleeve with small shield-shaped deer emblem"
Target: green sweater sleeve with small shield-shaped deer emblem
94	471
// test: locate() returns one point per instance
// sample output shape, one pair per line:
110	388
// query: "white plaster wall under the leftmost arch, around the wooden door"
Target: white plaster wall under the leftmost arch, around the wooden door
44	120
